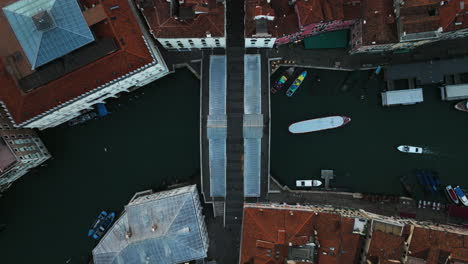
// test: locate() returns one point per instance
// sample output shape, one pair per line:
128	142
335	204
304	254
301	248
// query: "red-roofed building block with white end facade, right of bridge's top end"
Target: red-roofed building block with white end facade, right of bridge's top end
279	22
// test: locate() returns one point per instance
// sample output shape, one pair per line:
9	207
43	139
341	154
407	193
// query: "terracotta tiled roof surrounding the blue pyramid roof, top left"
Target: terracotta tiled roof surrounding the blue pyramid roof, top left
132	54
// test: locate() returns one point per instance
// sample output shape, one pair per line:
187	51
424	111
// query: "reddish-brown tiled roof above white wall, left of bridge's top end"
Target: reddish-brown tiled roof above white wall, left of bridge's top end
165	25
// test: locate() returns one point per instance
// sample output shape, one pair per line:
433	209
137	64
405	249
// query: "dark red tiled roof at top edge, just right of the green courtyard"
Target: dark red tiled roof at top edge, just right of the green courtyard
379	26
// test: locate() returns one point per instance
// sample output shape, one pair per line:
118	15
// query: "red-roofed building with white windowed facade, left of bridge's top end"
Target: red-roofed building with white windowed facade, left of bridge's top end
185	25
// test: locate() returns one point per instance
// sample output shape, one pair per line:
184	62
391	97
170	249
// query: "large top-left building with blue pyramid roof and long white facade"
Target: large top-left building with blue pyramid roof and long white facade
118	56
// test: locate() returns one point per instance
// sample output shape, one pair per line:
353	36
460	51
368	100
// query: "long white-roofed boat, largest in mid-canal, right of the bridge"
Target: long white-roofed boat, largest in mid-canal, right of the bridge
318	124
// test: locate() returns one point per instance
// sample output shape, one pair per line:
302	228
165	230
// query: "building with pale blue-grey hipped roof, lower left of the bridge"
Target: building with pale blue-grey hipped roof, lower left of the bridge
164	228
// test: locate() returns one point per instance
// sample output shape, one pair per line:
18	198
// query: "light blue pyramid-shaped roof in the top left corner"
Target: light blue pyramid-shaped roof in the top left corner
48	29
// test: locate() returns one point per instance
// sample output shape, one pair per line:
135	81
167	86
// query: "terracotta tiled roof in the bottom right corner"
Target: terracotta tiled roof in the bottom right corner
433	245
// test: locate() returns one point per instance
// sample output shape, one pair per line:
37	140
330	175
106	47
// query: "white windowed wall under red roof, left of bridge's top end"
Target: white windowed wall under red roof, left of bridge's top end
192	43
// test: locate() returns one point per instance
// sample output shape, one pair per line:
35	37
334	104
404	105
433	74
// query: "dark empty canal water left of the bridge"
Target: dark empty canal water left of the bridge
151	139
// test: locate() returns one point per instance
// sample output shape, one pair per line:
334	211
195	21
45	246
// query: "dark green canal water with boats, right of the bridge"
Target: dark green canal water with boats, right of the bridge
363	153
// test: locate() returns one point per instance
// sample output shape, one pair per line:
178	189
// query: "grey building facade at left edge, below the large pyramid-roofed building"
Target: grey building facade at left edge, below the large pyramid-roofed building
21	149
